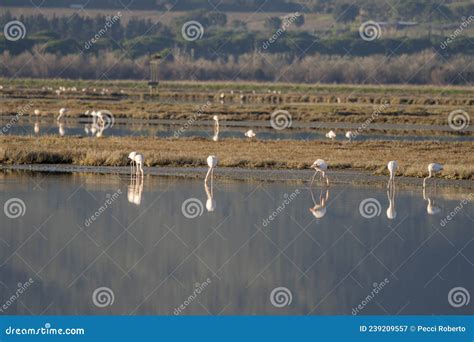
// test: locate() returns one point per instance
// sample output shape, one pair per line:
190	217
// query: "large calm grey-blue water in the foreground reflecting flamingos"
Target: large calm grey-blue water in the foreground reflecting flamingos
153	258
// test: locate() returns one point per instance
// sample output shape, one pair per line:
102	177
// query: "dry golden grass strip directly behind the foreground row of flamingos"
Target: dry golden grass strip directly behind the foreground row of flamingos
413	157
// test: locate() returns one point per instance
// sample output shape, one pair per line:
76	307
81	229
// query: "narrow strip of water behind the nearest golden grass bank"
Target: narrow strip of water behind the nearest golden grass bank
120	129
